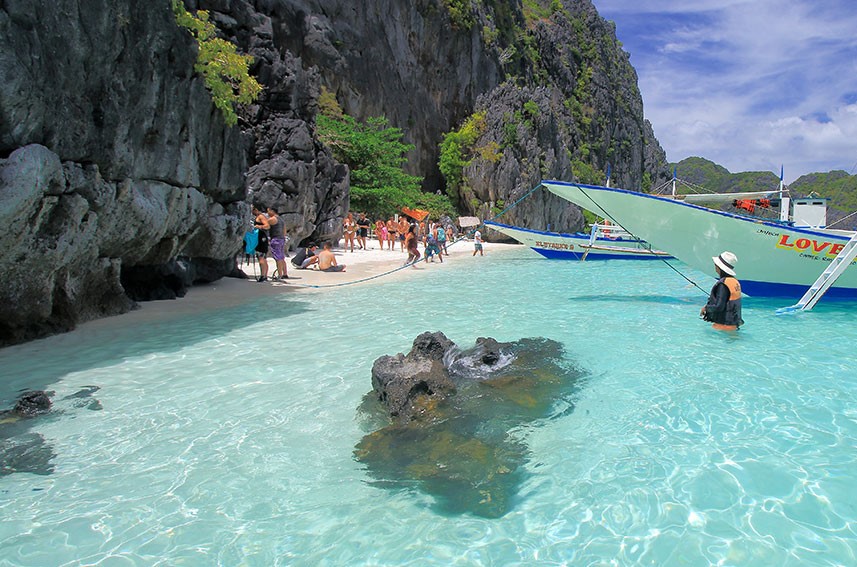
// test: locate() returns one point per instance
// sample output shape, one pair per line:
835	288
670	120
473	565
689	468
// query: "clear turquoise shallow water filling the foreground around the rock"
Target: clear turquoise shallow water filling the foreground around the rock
226	436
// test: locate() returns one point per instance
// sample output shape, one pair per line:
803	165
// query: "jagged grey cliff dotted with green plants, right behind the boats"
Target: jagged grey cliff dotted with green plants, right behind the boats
585	116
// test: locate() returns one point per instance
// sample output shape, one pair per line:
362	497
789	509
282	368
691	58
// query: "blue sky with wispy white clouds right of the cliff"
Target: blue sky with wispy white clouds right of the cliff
748	84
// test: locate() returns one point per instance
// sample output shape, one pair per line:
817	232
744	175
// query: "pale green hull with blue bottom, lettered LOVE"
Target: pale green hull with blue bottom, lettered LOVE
774	259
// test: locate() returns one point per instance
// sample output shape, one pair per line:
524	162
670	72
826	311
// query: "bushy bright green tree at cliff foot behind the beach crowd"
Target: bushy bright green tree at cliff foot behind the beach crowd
375	154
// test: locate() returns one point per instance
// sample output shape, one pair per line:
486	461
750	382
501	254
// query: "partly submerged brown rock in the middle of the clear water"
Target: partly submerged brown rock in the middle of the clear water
451	414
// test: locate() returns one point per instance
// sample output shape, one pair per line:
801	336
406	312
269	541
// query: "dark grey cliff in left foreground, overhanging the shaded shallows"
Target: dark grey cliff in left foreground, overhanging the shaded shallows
114	164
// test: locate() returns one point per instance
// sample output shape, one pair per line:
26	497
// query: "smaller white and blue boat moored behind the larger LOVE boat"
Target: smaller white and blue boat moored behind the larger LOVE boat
604	242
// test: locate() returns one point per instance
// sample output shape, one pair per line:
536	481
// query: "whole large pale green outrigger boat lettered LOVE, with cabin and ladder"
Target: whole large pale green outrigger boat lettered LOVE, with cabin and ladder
791	256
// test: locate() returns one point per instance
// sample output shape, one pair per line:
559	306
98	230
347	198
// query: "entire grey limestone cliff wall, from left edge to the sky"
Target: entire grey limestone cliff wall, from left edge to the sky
119	180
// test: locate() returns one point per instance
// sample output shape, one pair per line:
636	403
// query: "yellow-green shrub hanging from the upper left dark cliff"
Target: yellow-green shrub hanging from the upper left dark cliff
224	69
